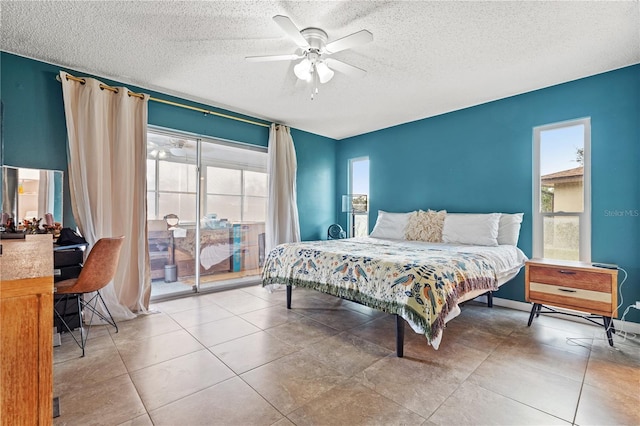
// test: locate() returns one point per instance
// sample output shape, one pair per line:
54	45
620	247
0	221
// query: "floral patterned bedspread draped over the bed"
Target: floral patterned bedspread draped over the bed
421	284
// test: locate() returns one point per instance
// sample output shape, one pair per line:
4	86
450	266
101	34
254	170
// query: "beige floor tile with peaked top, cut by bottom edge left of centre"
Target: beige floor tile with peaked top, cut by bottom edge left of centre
231	402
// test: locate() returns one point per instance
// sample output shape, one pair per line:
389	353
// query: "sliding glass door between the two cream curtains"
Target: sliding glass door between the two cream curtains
206	212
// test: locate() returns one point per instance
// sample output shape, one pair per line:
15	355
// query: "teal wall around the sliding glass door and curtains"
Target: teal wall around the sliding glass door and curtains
35	136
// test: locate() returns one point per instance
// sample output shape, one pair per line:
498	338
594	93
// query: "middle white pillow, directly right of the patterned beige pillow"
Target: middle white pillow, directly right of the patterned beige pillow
475	229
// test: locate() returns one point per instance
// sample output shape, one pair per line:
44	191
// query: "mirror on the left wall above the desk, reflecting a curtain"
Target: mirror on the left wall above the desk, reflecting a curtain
29	193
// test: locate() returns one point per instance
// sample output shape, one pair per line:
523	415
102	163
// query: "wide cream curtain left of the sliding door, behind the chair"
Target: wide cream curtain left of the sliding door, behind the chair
107	136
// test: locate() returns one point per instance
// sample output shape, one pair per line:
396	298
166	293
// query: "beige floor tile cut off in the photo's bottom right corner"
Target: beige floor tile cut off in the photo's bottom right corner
600	407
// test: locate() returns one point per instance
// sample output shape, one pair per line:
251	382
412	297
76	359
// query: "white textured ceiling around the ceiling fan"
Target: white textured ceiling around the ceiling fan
427	57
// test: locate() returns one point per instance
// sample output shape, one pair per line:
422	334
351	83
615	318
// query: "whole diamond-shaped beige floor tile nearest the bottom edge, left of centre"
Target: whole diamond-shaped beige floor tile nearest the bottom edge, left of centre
292	381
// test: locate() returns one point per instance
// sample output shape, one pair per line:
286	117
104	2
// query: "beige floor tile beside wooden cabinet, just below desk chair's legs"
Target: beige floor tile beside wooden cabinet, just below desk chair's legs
95	367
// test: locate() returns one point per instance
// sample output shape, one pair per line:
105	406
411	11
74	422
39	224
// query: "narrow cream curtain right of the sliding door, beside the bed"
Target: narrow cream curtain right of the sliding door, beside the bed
282	214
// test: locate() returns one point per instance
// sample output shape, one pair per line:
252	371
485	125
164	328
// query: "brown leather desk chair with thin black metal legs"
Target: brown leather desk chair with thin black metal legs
98	270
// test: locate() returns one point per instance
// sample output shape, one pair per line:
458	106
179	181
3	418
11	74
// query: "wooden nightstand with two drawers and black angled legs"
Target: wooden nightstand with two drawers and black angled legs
572	285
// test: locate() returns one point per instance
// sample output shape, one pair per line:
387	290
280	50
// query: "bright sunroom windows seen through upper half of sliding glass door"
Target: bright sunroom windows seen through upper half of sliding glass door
234	179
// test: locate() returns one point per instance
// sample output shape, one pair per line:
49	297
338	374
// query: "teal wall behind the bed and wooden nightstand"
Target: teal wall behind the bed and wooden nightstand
479	159
